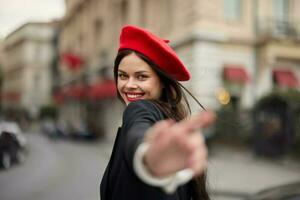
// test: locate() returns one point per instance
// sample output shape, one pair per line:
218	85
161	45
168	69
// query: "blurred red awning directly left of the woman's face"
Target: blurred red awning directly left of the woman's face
102	90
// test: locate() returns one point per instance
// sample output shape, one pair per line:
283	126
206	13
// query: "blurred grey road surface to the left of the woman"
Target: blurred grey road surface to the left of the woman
56	170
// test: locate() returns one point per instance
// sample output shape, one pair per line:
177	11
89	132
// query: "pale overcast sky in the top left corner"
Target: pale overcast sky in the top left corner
14	13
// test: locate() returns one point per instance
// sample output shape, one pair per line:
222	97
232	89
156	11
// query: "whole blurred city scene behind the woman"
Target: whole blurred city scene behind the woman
59	110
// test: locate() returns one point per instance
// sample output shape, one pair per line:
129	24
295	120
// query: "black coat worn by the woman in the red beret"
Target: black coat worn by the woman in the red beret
119	180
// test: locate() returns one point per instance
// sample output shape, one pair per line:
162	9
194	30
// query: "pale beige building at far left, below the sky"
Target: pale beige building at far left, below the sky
29	57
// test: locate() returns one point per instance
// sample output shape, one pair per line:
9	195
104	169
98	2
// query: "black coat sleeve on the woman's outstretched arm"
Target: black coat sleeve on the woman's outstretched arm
138	117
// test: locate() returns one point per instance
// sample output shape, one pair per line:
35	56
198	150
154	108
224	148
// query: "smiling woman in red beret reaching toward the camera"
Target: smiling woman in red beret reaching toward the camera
158	151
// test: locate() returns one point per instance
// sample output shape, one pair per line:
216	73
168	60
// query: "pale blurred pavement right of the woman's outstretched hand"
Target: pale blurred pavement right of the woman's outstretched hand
234	171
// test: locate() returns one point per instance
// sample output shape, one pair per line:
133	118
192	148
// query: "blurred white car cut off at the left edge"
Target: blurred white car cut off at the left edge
12	144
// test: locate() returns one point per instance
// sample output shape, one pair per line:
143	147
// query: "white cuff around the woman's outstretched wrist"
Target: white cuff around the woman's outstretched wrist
169	183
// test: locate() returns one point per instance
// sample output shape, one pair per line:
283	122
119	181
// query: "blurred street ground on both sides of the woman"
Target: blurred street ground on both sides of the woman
66	169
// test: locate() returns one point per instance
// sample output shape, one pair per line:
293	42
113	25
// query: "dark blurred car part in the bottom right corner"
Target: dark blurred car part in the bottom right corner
289	191
